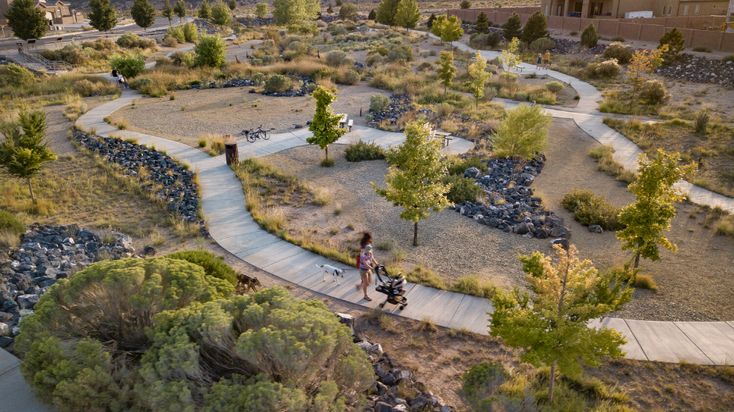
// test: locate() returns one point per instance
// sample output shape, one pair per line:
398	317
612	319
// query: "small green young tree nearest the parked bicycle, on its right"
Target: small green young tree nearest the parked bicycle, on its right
325	124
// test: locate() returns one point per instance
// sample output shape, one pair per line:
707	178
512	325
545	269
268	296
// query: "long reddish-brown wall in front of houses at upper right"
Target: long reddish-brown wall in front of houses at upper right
648	30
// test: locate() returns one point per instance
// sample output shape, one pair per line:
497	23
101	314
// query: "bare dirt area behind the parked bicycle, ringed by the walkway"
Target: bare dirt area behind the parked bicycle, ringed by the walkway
194	113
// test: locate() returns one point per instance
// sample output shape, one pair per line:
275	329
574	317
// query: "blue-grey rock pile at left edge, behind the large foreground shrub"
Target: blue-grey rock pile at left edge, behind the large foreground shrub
46	254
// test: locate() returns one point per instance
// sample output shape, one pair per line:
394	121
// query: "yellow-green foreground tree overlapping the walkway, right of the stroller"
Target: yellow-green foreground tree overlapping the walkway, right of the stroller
551	323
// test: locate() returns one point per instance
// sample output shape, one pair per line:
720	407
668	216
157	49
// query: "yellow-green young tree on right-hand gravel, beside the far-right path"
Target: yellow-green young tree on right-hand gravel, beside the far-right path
650	215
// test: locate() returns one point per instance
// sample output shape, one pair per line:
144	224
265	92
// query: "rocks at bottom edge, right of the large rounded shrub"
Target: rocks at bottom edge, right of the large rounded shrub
396	389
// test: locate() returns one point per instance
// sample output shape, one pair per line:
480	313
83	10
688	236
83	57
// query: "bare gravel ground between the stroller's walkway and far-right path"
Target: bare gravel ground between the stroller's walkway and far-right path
693	284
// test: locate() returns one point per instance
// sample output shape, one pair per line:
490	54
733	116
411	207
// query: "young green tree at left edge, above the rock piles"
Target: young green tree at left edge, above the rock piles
24	150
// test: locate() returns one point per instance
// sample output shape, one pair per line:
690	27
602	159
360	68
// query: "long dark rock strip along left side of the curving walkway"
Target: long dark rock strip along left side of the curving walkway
171	182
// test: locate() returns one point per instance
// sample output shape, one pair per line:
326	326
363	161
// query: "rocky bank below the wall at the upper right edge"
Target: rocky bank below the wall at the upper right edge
700	70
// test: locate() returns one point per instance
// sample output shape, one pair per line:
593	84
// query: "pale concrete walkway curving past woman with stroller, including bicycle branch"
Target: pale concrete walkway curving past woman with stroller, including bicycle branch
230	225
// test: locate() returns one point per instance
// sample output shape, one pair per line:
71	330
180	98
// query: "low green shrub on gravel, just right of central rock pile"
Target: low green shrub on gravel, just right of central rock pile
590	209
